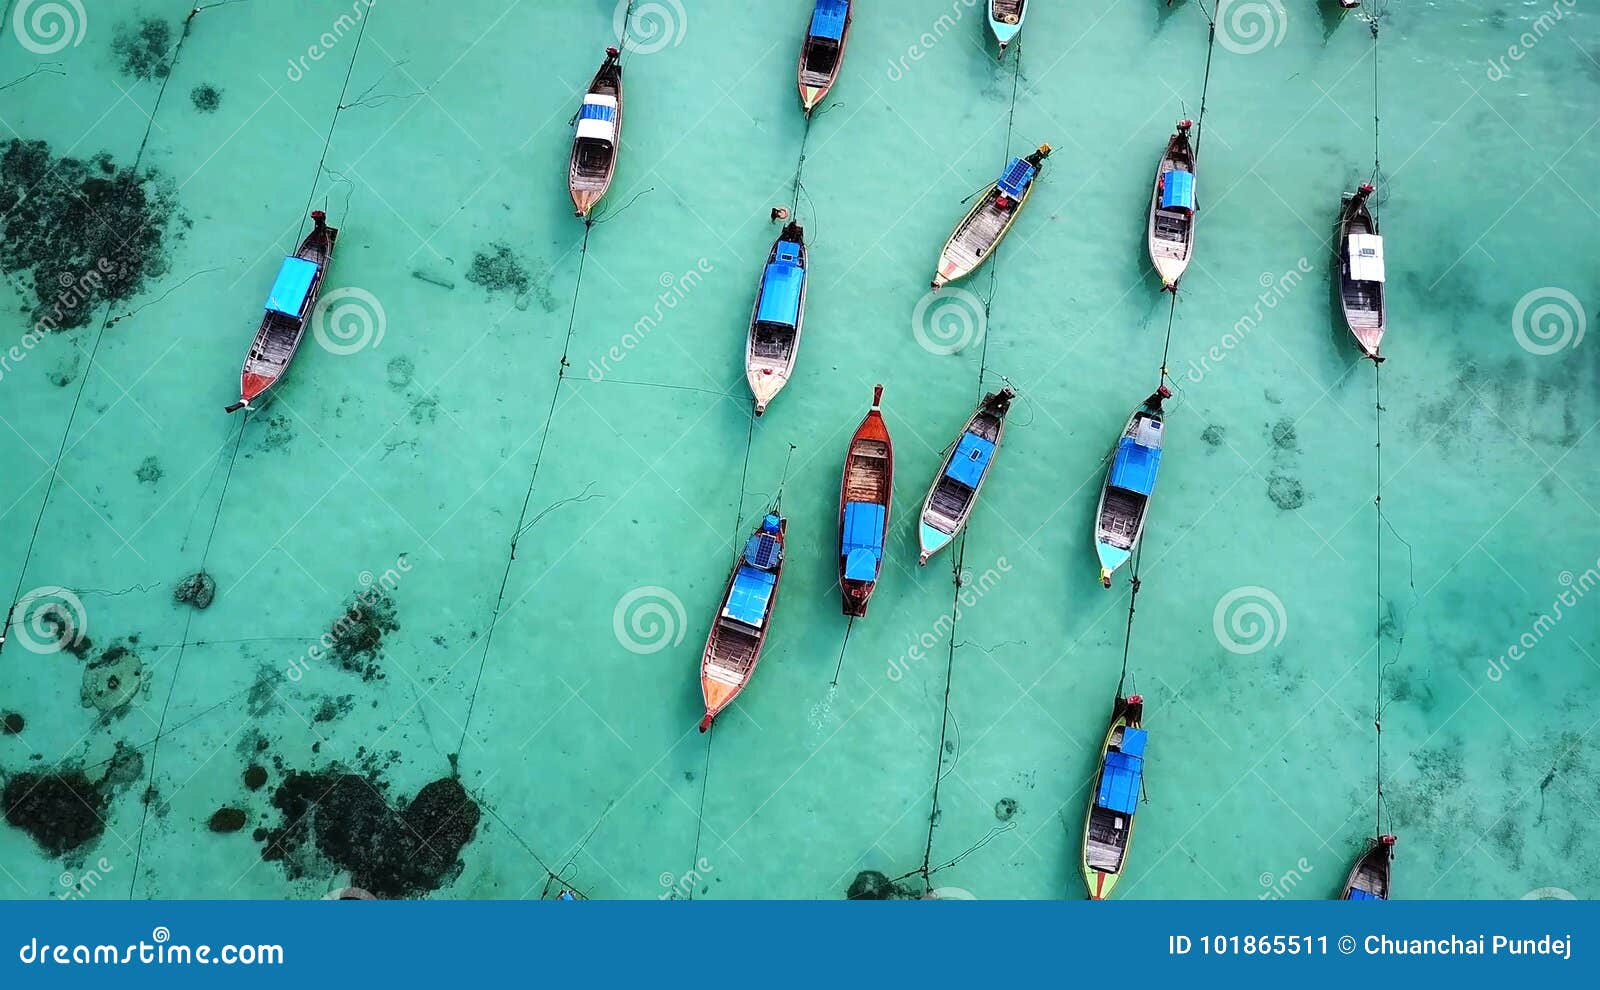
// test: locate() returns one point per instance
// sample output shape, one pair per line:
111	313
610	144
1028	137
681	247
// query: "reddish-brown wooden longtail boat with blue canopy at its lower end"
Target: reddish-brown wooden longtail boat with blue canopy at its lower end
865	508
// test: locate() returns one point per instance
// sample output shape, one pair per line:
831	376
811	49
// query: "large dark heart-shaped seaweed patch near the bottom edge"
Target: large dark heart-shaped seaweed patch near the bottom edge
337	821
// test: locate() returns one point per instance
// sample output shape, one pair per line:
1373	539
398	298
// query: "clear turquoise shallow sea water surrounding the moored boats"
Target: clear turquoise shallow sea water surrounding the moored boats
559	685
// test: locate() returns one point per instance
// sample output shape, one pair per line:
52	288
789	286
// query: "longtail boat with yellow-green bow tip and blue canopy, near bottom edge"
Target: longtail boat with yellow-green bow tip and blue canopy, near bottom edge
1108	826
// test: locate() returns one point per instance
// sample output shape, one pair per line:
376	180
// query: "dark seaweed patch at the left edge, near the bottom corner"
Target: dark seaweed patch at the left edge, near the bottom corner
65	810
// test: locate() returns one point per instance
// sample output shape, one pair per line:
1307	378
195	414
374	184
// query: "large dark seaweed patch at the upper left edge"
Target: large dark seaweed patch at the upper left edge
86	231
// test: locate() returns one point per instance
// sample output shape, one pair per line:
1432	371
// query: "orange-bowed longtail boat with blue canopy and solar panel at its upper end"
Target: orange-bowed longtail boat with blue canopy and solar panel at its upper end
740	628
